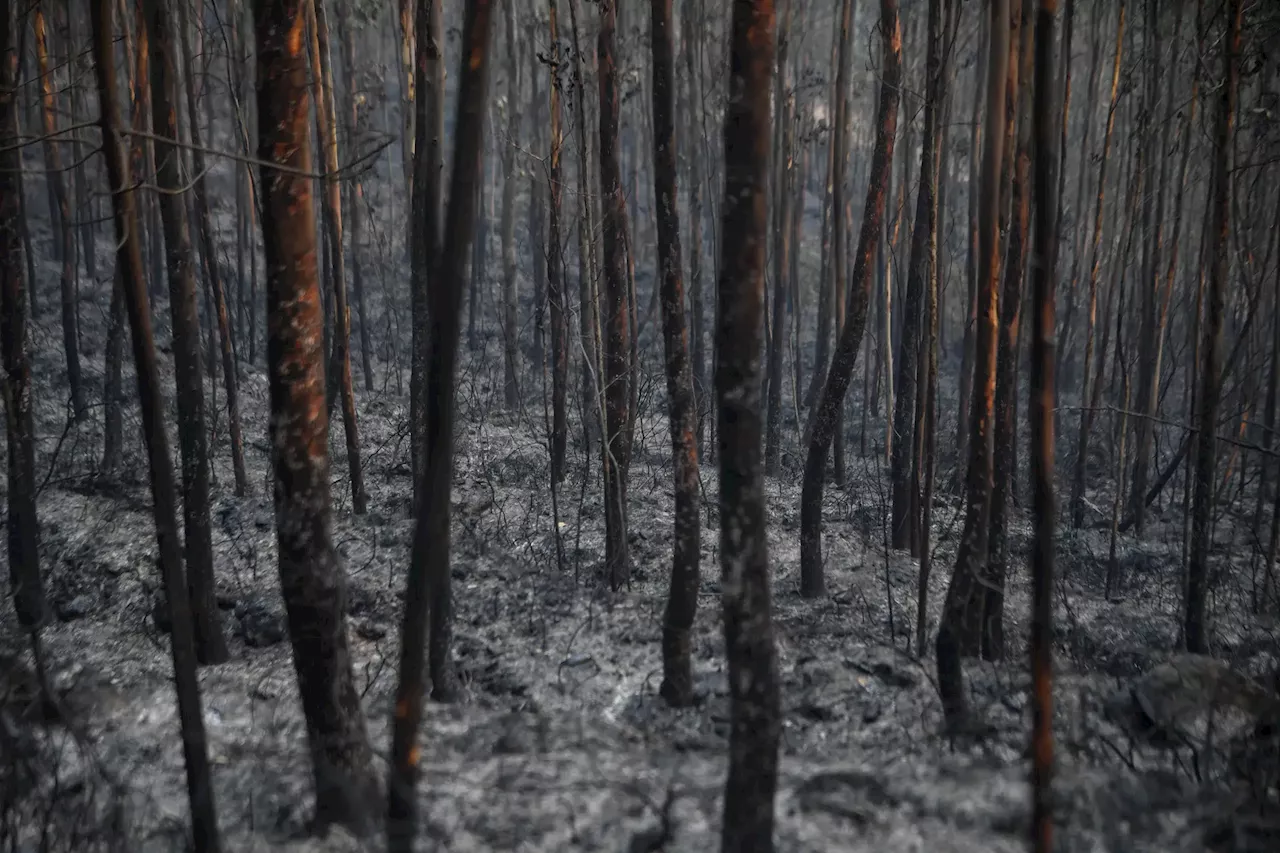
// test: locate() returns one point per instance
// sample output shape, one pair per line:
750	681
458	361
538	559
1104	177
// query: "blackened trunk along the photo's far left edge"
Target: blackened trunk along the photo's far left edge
24	540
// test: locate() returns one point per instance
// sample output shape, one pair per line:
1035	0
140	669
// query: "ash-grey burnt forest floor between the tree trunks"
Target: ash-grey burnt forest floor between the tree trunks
561	741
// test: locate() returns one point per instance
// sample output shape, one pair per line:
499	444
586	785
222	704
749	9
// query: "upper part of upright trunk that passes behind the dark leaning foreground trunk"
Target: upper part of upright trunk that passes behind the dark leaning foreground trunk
428	153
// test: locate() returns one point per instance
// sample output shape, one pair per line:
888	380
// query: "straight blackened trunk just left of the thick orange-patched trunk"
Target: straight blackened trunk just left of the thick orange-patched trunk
189	378
